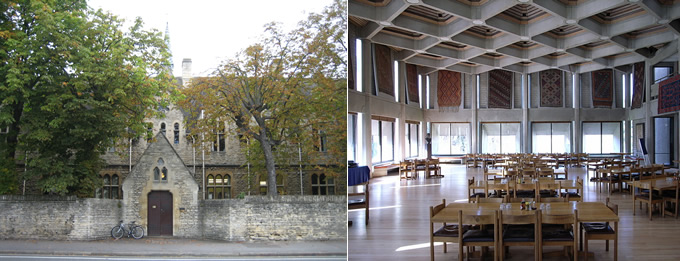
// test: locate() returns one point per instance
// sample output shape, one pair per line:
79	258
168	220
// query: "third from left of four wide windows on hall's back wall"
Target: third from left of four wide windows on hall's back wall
551	137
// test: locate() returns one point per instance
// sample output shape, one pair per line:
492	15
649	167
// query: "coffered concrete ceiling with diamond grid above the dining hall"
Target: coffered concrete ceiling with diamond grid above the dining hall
526	36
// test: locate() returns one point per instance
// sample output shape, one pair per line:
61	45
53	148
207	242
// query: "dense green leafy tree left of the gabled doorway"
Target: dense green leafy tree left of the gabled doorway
72	84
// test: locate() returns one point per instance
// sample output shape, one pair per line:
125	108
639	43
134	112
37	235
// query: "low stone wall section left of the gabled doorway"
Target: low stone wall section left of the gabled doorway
57	217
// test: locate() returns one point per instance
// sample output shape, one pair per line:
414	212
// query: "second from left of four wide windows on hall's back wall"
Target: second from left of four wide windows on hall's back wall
504	137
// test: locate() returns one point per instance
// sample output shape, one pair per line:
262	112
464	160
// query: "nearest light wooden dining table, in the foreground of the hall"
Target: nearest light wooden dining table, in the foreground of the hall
587	212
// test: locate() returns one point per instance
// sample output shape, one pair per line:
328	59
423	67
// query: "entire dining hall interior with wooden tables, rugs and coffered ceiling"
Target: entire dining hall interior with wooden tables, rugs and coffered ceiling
513	129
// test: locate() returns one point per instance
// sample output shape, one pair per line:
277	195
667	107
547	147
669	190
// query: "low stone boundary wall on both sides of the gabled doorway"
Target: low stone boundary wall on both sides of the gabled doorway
251	219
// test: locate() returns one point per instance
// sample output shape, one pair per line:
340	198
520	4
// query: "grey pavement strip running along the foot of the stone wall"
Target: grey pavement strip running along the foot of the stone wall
173	247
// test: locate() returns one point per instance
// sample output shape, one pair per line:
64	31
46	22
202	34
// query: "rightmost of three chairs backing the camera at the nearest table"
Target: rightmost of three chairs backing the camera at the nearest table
564	235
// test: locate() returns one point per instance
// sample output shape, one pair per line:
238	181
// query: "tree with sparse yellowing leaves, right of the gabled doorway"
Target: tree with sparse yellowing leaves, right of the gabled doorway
278	92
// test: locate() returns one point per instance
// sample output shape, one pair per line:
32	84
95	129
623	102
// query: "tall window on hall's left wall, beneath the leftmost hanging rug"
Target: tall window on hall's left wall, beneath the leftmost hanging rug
382	139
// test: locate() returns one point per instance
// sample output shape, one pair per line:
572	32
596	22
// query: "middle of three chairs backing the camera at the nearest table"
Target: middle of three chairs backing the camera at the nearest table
516	231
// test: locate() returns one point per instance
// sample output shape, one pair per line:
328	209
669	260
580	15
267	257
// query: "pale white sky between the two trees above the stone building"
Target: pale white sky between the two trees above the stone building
210	31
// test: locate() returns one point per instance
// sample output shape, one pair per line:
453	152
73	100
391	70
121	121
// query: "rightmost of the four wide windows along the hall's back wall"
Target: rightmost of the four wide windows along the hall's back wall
601	137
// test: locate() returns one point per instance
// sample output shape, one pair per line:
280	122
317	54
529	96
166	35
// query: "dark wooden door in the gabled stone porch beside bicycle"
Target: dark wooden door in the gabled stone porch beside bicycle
160	213
